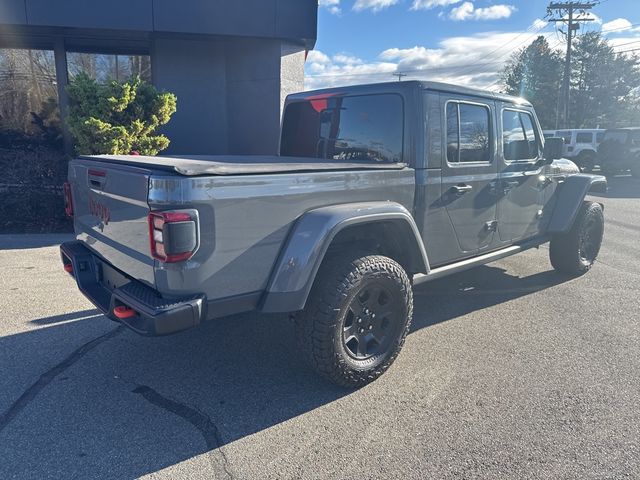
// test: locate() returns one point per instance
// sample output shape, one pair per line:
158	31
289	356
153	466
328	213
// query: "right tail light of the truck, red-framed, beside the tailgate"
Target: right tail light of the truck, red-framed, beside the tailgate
173	236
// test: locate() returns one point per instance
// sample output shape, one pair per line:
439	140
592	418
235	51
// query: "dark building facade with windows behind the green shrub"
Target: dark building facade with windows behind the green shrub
231	63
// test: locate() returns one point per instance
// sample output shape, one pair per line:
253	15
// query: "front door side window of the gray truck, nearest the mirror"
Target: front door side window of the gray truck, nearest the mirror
519	136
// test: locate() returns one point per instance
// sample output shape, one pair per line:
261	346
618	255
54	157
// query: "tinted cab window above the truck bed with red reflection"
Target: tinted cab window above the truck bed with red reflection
357	128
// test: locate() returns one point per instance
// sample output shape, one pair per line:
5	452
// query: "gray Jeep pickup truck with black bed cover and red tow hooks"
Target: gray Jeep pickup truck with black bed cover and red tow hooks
377	188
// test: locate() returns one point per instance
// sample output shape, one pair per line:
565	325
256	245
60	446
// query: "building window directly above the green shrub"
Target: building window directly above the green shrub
107	67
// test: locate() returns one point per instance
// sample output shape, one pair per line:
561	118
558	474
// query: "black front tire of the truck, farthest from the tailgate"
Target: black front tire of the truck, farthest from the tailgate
575	252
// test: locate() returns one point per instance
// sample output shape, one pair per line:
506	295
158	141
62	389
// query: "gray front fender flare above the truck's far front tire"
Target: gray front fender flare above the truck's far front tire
569	197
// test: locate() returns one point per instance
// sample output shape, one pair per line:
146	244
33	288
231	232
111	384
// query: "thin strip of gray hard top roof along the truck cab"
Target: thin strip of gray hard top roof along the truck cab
411	85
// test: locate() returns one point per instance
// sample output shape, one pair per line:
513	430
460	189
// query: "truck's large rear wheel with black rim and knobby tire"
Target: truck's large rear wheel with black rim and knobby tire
357	318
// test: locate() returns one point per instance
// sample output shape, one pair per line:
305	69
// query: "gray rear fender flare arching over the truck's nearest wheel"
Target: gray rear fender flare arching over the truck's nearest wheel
310	238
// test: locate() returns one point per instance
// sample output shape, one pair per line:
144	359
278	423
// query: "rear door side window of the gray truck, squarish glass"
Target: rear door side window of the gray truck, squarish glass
468	133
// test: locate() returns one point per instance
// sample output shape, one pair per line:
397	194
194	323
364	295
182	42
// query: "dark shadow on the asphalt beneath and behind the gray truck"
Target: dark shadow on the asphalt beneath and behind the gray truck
152	403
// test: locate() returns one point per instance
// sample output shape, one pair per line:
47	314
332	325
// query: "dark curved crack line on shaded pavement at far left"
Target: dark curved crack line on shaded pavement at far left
46	378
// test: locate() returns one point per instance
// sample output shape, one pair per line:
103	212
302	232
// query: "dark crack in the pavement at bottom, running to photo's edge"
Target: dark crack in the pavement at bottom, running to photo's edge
200	420
